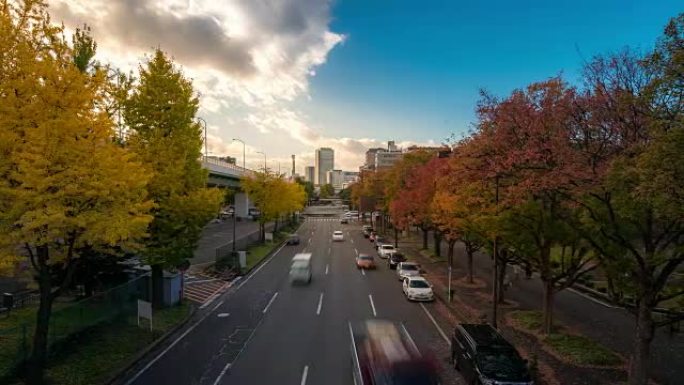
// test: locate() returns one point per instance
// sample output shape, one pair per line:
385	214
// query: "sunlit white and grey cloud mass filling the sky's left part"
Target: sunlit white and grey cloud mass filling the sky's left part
248	59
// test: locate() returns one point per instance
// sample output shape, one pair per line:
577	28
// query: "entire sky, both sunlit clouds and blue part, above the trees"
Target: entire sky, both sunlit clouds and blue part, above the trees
288	76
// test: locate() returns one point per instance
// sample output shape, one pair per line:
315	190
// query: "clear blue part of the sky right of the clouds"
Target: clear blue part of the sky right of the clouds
411	70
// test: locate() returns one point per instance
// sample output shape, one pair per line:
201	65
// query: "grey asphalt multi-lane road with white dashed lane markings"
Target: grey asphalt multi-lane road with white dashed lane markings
265	331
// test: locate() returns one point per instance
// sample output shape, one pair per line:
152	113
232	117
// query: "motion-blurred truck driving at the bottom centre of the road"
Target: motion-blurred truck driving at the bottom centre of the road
383	353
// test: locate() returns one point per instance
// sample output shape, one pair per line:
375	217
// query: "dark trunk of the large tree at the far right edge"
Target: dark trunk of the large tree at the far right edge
639	363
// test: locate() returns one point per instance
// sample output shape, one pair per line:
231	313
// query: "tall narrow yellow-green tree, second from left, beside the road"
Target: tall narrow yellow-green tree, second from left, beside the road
160	115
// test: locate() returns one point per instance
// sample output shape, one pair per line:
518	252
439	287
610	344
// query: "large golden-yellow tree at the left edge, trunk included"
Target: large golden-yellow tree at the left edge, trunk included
64	184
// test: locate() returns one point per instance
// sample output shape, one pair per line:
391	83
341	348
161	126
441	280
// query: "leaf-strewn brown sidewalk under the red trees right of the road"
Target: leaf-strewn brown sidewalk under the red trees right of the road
610	326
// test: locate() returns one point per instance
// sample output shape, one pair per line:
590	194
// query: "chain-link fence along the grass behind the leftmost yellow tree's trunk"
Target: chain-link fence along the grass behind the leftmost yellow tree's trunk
67	320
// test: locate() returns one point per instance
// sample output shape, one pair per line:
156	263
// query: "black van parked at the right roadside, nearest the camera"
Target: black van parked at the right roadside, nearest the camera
483	356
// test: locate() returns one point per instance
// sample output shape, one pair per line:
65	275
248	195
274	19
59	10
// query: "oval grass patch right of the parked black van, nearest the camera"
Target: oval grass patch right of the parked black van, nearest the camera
582	350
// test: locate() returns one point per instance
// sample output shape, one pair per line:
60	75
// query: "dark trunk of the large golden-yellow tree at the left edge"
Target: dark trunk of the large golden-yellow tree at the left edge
40	337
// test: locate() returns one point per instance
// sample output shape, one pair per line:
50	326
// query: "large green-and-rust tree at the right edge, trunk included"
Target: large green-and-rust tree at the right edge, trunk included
633	212
